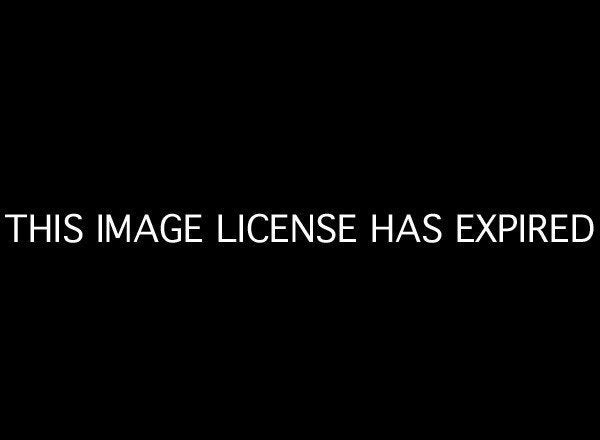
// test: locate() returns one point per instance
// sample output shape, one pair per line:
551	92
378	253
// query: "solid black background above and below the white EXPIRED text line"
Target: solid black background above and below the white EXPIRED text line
368	113
